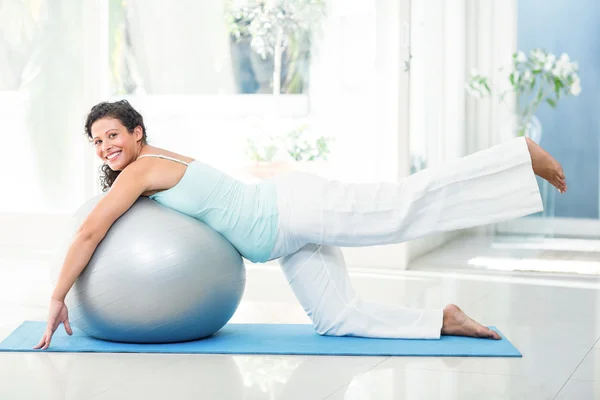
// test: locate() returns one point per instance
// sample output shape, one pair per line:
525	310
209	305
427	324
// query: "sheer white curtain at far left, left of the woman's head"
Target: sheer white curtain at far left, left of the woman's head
41	98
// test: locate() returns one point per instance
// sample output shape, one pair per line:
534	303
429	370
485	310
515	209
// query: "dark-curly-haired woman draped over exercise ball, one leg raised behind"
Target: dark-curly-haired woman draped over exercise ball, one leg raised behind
301	219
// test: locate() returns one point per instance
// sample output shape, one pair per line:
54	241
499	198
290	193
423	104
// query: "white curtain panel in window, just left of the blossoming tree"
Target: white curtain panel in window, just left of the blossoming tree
180	47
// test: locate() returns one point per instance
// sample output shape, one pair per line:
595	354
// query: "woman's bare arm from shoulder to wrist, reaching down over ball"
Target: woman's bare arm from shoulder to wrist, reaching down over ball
126	189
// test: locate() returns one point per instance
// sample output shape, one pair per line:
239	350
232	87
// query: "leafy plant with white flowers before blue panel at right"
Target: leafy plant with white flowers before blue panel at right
538	78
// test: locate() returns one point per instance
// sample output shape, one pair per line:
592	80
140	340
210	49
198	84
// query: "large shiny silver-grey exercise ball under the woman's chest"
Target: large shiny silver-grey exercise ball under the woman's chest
158	276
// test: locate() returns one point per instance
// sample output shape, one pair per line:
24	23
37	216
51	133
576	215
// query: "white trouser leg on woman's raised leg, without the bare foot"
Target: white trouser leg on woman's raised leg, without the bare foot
492	185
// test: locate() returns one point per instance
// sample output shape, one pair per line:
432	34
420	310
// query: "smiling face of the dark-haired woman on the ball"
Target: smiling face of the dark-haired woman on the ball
114	144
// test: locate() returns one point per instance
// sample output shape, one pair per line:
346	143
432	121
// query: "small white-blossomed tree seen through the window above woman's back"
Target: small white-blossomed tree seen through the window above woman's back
270	43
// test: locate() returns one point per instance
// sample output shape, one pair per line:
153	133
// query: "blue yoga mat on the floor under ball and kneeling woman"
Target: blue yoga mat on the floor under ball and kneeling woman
289	339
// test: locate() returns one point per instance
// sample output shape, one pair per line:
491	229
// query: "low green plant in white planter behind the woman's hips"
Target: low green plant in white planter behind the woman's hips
297	150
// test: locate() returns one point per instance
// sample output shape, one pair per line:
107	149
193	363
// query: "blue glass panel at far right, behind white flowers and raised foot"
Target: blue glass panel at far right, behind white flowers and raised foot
570	131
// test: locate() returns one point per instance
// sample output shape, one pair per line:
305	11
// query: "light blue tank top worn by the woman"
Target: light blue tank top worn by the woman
246	215
